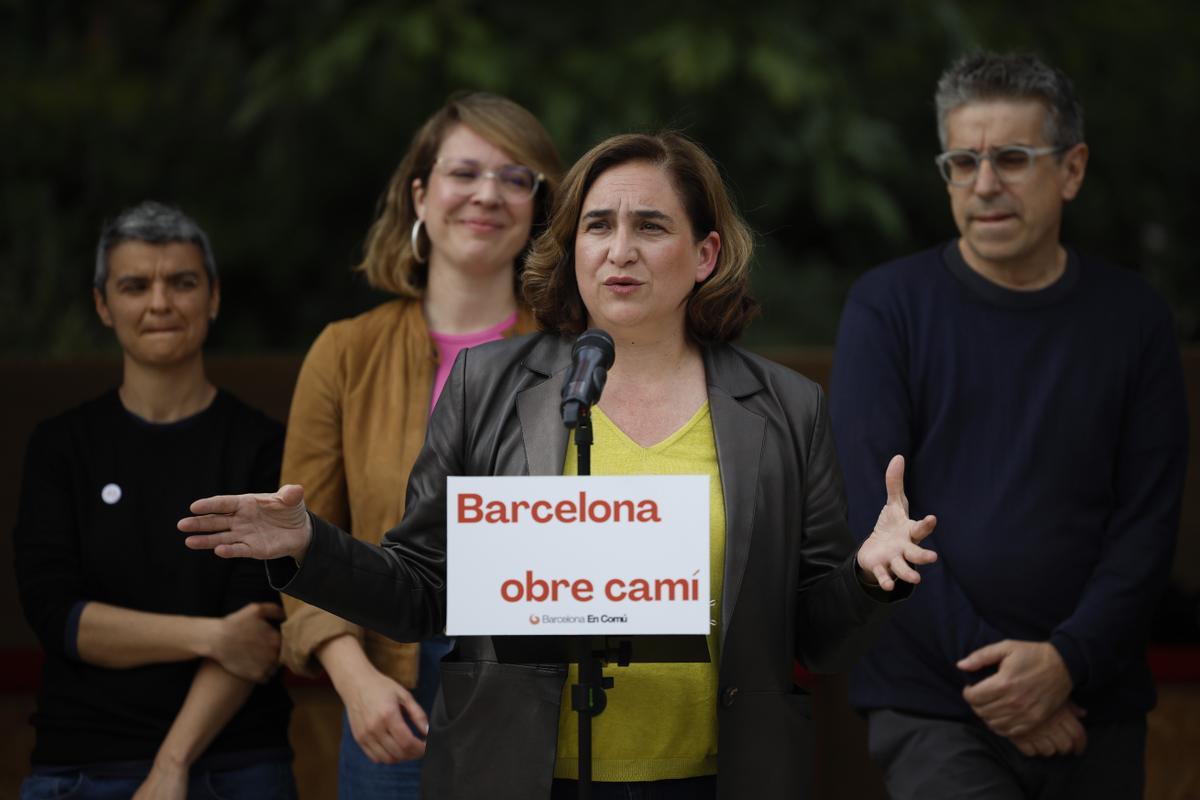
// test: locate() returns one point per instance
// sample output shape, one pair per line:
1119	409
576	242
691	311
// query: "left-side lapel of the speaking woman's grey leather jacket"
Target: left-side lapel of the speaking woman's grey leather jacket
542	424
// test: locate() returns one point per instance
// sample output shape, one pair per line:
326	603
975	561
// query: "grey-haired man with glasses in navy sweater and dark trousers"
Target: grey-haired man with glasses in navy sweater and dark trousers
1039	399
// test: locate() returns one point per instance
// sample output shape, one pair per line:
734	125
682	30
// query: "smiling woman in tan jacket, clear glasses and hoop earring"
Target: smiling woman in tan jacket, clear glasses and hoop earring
451	239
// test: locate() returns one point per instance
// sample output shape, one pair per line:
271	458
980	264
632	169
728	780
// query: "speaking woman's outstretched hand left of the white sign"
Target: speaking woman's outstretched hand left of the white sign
251	526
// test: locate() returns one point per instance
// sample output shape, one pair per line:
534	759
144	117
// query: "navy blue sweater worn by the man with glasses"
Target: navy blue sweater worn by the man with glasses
1048	432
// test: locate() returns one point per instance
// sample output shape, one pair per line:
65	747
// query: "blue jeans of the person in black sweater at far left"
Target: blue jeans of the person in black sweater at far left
266	781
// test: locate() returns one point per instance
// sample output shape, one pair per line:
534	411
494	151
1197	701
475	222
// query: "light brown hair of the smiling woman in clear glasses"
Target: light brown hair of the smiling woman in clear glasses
388	261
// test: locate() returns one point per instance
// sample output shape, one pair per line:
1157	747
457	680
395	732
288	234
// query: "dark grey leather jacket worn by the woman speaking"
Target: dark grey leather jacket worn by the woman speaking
791	591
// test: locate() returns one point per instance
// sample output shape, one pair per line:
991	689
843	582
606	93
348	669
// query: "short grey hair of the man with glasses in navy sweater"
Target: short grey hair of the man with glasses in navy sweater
1012	76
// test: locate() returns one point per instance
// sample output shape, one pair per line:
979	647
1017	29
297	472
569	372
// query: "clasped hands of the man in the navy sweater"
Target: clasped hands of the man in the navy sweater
1031	683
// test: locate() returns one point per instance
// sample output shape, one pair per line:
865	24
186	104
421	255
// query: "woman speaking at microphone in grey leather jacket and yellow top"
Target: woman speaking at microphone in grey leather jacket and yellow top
645	244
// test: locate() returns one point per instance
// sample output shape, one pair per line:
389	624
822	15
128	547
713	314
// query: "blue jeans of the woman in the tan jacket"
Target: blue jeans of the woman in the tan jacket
358	777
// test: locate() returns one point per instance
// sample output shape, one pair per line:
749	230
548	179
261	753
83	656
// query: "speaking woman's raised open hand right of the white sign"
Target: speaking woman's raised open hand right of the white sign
892	549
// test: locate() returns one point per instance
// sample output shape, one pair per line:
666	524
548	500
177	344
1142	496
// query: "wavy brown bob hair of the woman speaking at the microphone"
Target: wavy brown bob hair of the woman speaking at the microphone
719	309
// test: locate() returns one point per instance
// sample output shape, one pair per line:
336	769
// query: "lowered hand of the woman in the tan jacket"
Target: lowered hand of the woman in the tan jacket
377	707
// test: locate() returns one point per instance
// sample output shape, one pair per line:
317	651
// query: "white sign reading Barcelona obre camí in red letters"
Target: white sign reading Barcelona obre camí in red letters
561	556
